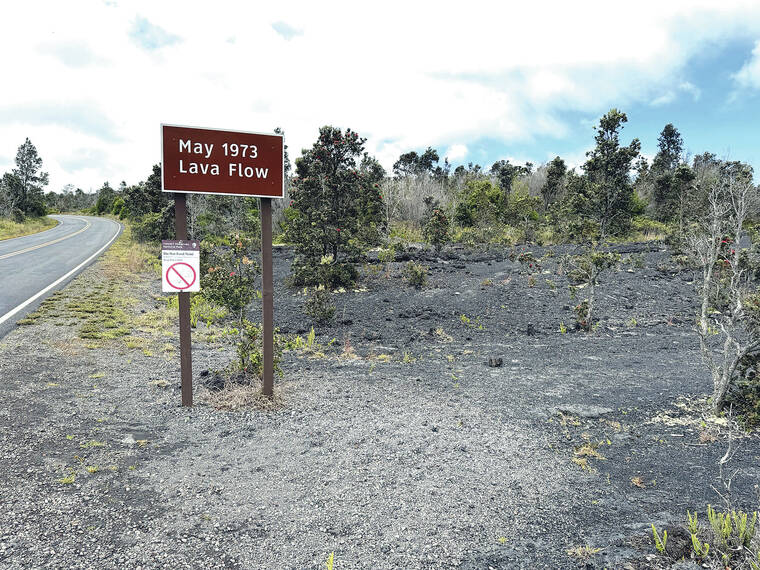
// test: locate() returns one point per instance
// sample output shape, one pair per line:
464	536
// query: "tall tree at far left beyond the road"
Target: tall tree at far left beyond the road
26	182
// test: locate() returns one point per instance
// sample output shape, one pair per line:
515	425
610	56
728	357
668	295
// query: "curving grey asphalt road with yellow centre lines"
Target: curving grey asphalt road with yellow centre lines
32	267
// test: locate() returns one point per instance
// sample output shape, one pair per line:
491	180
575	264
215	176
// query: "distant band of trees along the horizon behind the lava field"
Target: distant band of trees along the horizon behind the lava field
615	193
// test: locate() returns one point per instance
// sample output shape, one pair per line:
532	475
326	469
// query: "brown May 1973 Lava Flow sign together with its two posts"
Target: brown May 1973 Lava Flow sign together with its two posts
233	163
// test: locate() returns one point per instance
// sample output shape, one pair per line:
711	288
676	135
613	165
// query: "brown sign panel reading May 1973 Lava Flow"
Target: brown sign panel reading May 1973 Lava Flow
211	161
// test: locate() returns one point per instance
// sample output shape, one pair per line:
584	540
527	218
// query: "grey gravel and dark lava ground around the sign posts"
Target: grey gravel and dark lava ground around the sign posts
393	446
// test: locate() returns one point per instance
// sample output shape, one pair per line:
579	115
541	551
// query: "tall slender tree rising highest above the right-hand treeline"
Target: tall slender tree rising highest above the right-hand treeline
611	201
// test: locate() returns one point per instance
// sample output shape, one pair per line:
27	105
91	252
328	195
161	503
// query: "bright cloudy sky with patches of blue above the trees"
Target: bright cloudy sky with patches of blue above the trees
90	82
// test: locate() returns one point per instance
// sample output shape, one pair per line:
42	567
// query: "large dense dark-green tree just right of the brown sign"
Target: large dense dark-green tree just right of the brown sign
333	201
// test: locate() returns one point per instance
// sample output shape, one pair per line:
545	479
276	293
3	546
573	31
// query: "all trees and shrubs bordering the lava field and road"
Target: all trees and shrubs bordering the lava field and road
341	203
